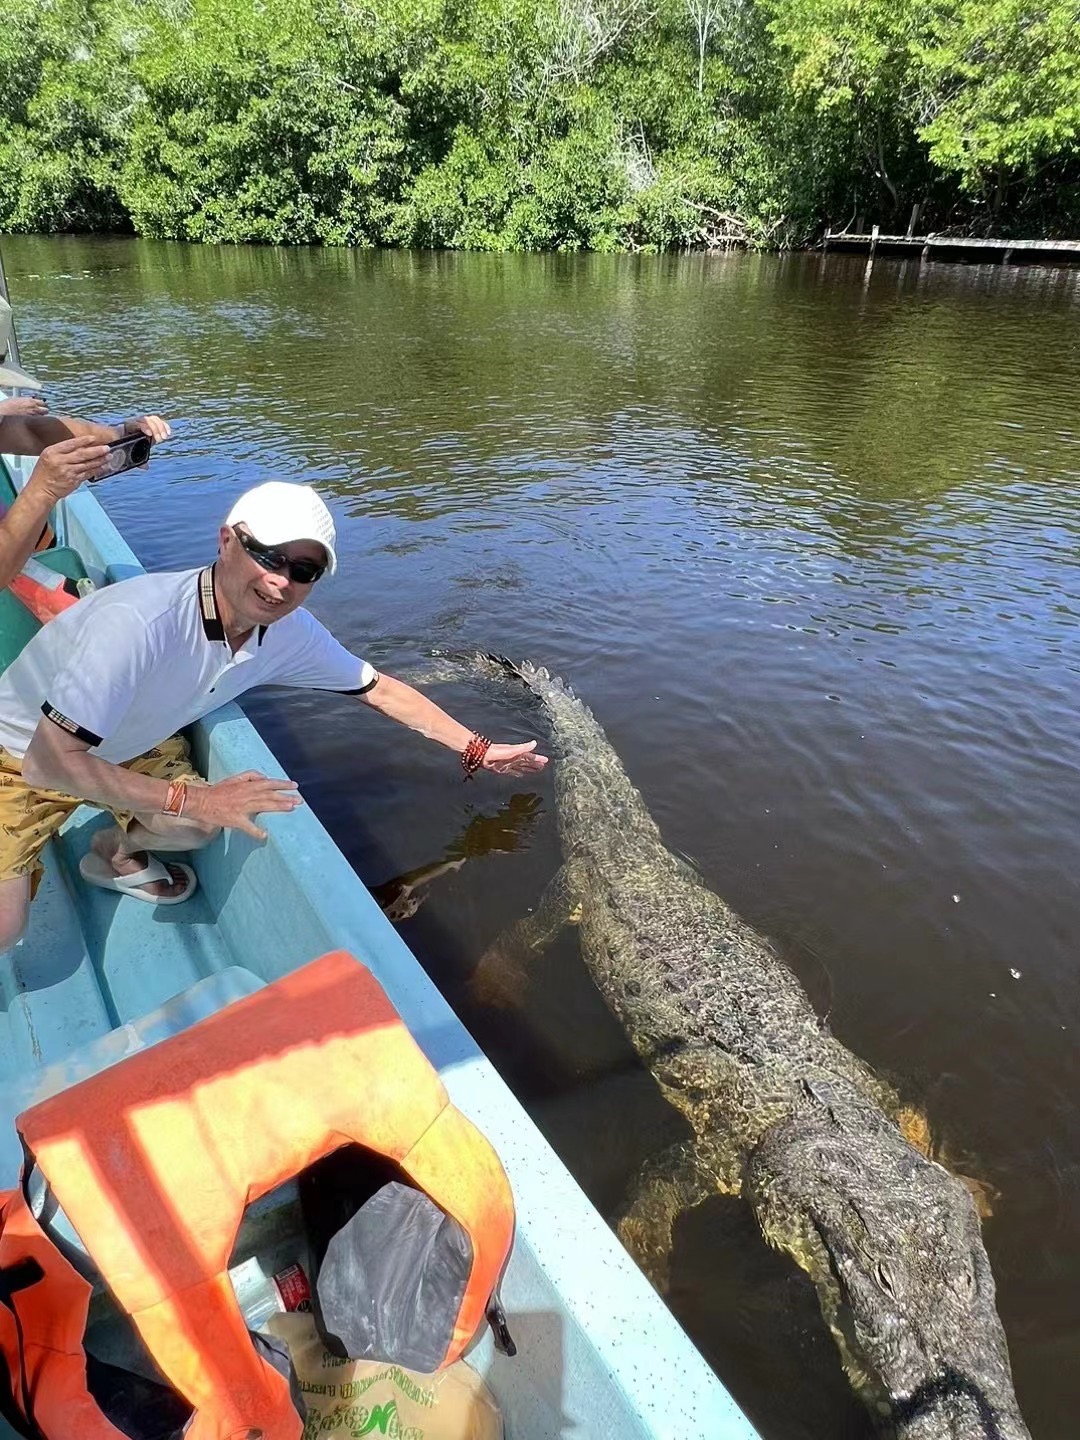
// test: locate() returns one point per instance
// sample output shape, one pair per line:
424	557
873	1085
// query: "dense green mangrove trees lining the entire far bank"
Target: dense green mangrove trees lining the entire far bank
536	125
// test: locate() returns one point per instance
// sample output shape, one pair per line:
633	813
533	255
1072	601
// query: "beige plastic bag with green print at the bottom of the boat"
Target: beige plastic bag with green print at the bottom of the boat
349	1399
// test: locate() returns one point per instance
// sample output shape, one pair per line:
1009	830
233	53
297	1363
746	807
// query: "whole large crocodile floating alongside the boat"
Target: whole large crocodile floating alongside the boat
778	1110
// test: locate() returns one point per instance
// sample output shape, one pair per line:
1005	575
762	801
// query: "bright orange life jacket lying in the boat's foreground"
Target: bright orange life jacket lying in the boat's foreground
156	1158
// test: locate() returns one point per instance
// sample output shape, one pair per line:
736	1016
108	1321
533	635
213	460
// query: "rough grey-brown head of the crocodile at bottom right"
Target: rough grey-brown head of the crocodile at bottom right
894	1245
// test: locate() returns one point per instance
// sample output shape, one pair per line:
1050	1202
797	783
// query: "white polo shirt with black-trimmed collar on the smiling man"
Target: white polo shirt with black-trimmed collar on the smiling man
136	662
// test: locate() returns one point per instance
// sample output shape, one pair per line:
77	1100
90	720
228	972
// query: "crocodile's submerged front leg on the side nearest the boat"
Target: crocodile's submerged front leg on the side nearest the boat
678	1179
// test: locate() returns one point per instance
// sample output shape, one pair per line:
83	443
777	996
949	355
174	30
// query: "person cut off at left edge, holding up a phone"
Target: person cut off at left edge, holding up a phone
70	450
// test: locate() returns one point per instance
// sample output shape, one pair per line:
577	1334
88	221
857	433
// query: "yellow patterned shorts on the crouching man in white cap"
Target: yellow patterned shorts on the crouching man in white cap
30	819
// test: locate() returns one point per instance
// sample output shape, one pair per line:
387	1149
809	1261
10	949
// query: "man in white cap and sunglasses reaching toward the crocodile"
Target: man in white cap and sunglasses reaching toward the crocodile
91	709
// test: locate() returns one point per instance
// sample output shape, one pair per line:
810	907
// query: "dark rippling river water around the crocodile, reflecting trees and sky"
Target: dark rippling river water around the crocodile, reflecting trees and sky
807	539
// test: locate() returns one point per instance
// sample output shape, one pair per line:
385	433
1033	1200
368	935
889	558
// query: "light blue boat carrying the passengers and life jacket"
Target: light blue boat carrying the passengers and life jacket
598	1353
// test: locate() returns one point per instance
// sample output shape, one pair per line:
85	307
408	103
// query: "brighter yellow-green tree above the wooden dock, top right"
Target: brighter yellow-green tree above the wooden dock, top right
955	102
